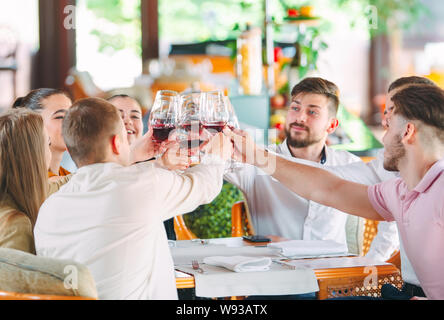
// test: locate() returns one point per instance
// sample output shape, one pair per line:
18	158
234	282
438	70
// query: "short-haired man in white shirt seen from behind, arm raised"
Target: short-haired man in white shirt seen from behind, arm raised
110	215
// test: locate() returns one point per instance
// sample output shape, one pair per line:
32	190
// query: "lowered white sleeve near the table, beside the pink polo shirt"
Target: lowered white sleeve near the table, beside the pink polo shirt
385	242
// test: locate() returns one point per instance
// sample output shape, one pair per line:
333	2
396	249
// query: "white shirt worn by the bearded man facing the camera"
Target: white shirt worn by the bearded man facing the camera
276	210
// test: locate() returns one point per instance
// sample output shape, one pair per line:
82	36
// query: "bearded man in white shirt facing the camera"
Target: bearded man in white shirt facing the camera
276	210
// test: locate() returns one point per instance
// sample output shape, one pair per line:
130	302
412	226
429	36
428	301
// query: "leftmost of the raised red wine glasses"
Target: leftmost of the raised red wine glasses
164	115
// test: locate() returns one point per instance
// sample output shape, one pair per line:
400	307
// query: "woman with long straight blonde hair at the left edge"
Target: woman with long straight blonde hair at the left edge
24	160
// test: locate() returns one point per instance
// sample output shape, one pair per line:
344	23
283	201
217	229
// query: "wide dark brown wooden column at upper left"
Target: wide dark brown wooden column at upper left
57	52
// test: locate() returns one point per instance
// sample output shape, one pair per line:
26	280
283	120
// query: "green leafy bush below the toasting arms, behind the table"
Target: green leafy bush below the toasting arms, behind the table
214	220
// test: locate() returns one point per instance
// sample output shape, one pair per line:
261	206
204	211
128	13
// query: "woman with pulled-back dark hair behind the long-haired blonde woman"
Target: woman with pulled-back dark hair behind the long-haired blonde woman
52	104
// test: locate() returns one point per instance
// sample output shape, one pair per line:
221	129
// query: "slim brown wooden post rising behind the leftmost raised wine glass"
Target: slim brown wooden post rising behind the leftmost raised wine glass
150	29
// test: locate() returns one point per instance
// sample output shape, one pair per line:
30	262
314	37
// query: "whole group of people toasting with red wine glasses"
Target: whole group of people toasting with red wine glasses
109	214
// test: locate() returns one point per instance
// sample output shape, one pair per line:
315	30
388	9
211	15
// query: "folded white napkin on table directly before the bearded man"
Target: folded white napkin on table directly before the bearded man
310	248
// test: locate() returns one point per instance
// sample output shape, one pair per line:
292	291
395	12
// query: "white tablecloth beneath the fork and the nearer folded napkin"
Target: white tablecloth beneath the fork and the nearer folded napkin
221	282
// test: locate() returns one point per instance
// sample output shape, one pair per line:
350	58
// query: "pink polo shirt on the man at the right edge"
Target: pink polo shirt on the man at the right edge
419	214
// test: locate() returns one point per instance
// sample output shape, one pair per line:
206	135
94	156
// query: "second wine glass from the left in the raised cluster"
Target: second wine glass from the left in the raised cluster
190	123
